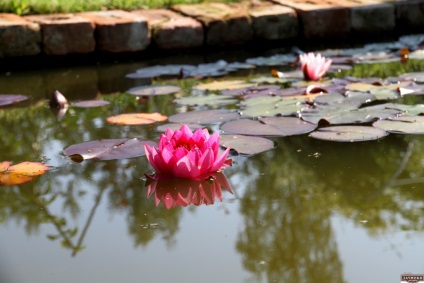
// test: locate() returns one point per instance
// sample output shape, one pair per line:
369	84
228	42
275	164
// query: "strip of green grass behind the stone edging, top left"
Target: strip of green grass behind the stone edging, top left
28	7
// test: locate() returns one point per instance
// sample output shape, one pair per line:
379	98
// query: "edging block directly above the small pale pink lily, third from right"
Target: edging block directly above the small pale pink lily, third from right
321	19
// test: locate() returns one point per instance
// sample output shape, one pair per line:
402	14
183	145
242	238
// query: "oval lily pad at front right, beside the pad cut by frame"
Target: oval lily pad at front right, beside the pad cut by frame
348	133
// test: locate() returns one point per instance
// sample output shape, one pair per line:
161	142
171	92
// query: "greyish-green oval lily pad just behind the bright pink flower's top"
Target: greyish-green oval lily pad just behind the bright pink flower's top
204	116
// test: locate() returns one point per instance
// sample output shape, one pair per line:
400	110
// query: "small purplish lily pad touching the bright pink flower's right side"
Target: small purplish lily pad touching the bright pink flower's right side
246	144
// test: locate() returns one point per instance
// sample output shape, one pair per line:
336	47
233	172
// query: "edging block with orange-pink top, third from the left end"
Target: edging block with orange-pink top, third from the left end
119	31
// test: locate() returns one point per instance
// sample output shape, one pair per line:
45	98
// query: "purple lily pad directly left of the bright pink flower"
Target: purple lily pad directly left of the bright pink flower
107	149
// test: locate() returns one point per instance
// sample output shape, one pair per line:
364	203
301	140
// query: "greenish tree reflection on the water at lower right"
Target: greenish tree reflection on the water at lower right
287	234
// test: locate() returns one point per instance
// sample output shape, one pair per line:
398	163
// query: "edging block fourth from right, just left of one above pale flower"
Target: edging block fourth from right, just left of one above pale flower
273	22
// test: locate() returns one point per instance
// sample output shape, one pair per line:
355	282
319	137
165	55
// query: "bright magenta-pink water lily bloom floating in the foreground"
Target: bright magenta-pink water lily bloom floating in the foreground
189	155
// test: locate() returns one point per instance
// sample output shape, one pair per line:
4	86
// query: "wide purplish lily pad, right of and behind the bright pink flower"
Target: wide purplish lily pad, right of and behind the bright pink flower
272	126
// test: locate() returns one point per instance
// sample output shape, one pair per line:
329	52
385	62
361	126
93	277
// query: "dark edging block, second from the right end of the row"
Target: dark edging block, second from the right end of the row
372	19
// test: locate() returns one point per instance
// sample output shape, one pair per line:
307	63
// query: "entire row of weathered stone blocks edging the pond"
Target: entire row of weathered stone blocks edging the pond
206	25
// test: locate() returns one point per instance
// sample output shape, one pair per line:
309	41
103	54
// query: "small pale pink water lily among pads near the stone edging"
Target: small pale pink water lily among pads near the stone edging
314	67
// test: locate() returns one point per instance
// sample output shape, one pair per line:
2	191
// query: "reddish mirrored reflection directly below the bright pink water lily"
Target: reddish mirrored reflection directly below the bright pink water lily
174	191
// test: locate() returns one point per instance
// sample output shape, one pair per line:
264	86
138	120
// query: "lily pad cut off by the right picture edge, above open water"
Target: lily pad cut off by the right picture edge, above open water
402	125
